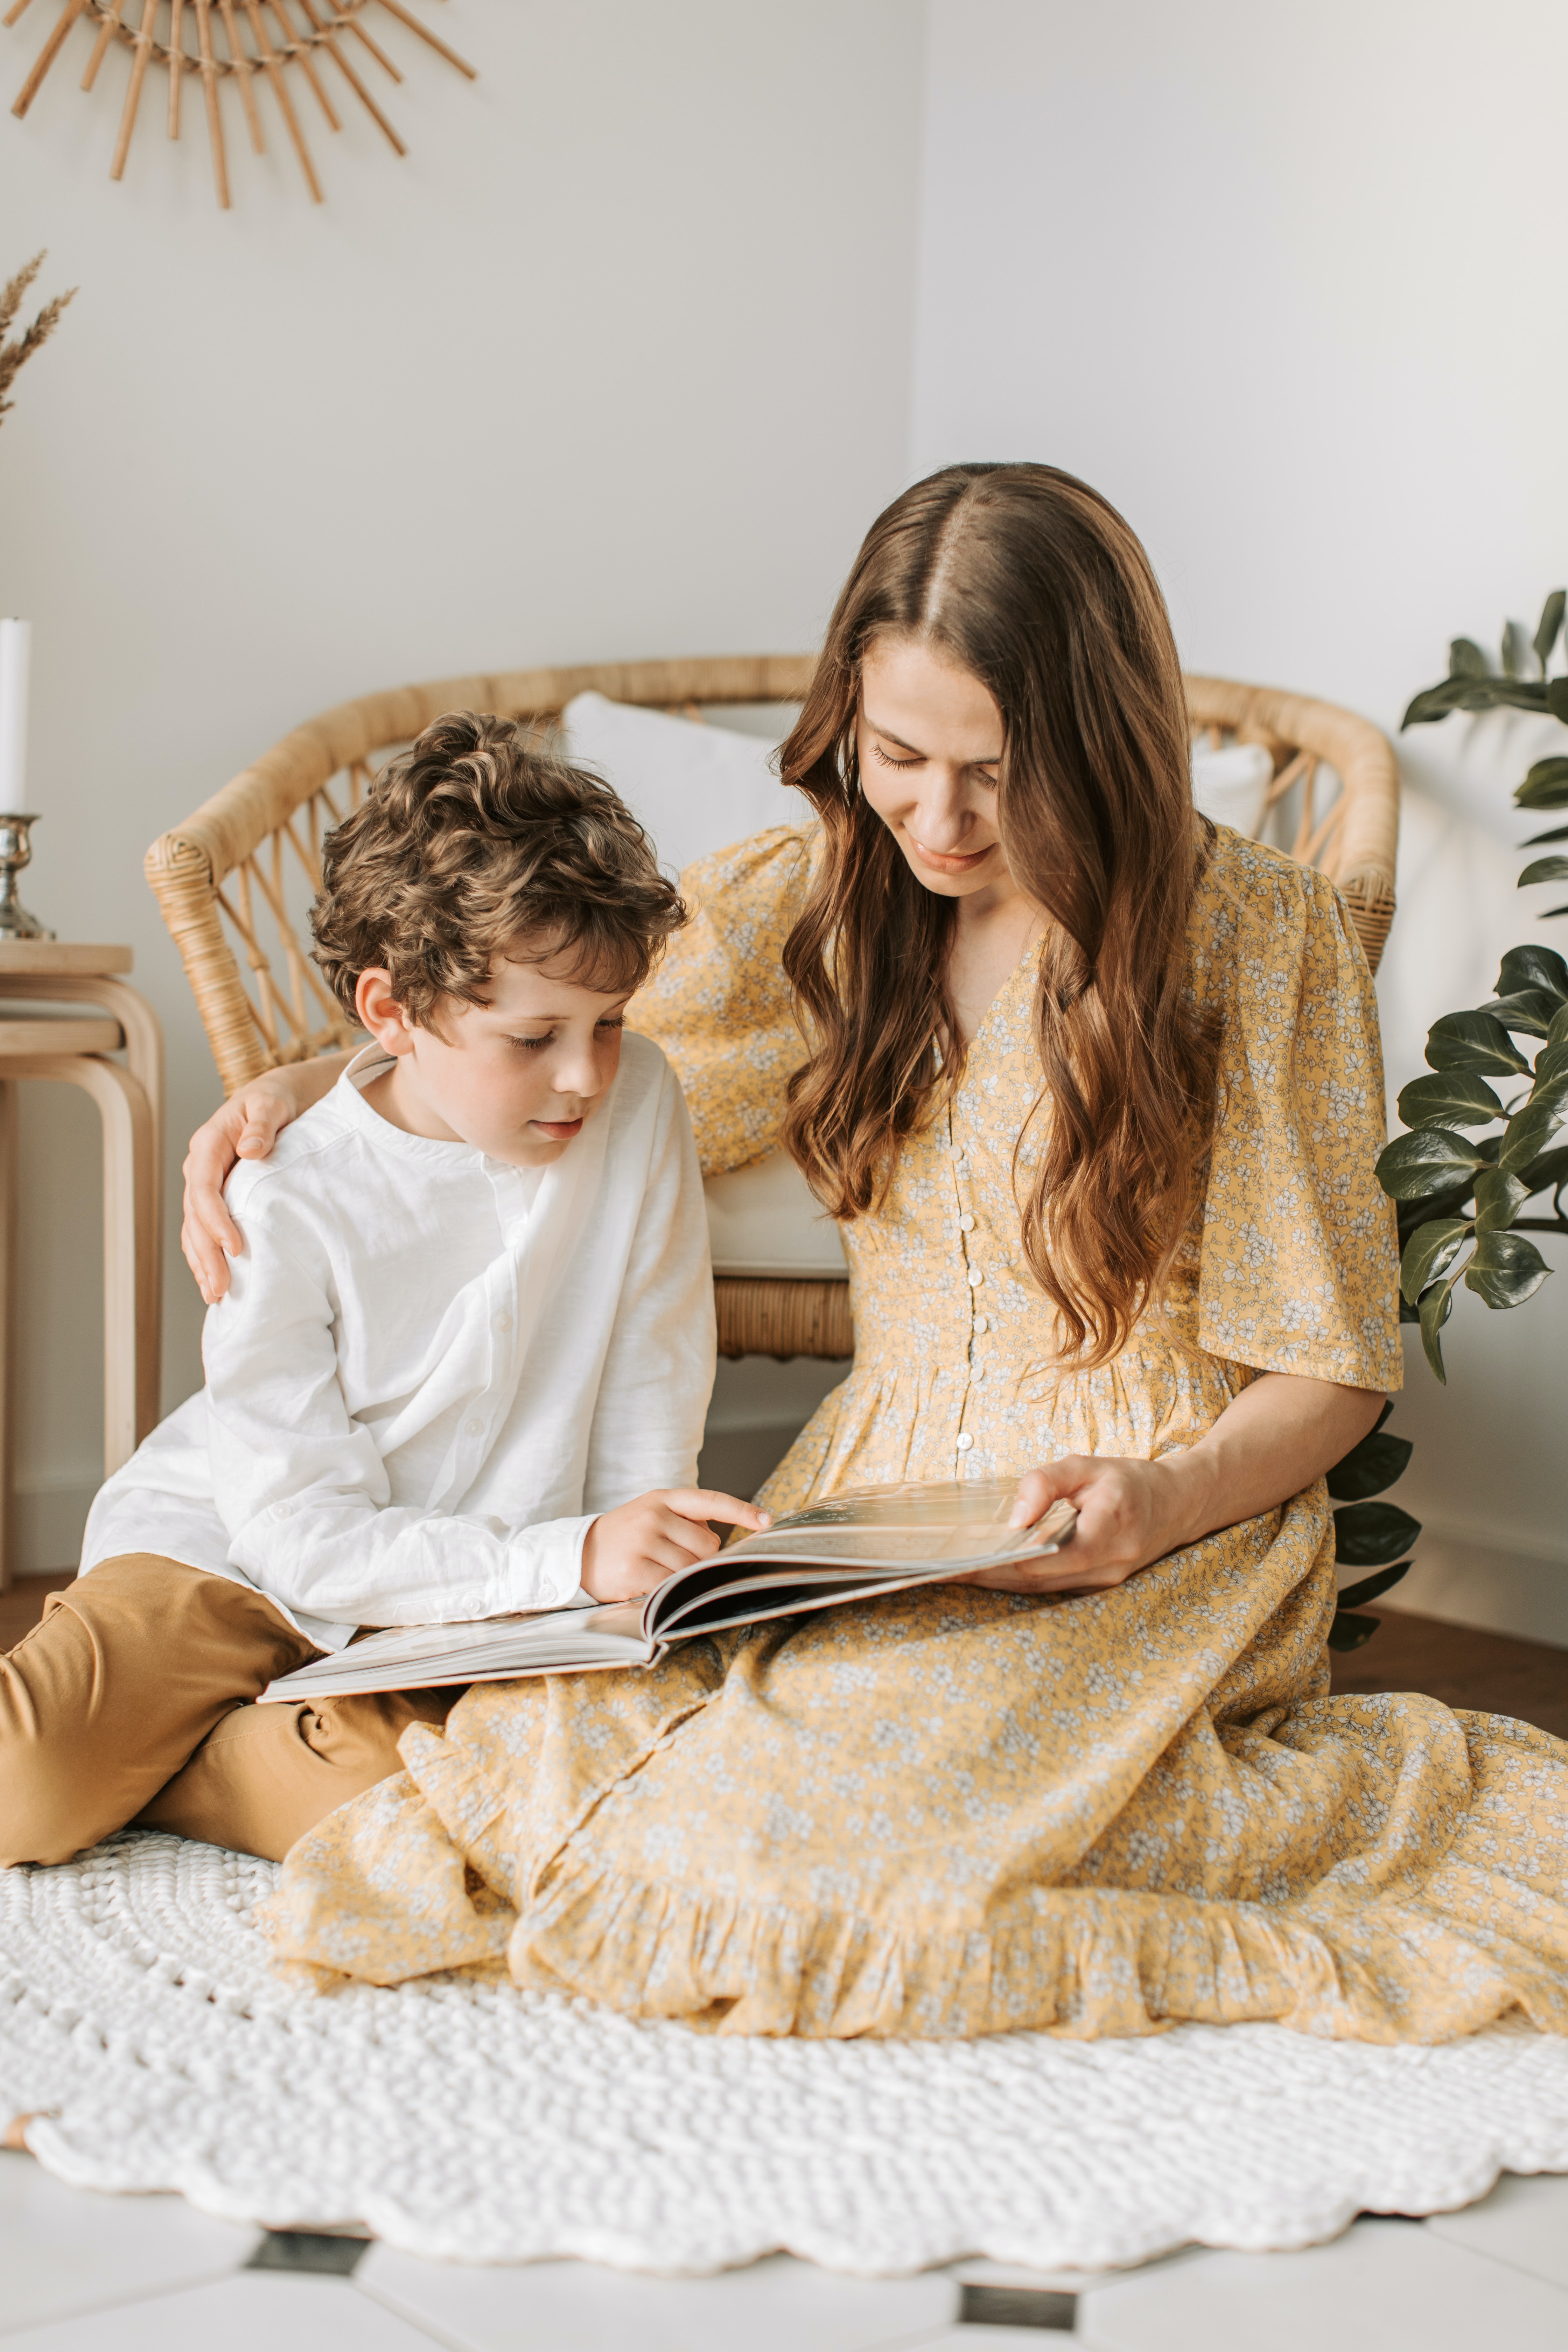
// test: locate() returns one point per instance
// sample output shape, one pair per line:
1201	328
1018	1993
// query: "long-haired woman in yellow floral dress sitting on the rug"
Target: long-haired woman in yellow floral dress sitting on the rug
1094	1093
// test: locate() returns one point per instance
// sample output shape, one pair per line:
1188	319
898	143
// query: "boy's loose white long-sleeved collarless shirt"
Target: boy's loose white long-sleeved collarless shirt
434	1370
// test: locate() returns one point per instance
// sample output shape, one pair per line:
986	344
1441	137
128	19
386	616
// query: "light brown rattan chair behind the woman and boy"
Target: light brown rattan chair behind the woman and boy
236	878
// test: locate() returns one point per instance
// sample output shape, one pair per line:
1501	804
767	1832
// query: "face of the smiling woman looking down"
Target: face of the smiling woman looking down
930	740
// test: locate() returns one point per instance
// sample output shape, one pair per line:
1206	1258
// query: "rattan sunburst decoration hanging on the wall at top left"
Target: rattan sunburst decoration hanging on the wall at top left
206	39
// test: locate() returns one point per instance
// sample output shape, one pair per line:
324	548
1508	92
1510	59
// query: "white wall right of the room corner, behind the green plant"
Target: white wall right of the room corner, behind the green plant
1282	286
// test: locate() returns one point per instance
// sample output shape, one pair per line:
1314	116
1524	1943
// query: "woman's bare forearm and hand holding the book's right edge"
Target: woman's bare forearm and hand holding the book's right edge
1280	1436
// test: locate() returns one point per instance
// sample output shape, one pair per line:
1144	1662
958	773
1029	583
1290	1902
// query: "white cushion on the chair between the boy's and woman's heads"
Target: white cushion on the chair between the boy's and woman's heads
695	789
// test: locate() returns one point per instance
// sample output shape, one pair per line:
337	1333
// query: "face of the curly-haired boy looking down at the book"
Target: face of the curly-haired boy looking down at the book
516	1078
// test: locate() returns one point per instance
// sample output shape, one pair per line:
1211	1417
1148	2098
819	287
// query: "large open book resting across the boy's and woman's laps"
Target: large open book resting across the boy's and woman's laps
847	1549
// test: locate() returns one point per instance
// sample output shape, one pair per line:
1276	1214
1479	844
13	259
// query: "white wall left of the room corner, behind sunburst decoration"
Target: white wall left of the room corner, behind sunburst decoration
615	363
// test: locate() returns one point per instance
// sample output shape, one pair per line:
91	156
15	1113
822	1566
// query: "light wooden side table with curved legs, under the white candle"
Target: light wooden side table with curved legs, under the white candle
74	1050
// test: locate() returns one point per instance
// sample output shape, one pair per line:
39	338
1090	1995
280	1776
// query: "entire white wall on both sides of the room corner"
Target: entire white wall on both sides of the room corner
619	361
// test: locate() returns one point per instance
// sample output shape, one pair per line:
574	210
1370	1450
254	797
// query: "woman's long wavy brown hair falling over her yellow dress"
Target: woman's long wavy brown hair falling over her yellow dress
1038	587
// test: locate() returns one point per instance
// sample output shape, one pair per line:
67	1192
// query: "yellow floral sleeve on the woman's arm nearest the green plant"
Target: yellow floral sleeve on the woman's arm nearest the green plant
1299	1250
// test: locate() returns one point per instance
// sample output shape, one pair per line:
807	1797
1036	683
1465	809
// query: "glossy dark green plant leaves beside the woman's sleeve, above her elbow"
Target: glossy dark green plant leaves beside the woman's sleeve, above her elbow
1463	1194
